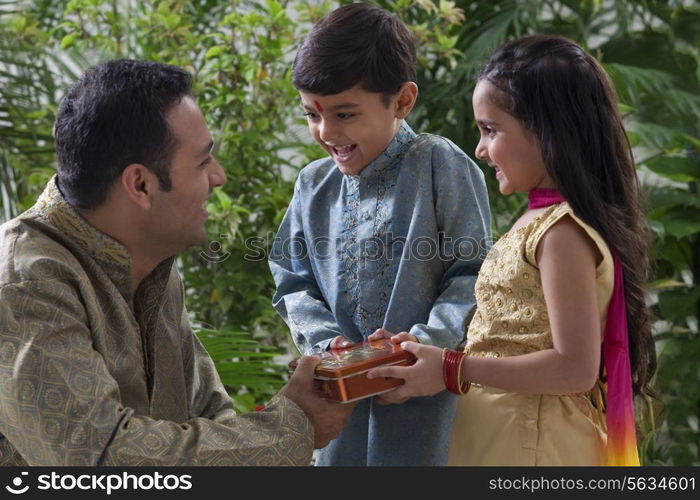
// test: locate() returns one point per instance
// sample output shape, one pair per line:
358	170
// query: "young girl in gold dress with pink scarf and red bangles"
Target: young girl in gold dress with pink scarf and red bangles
561	338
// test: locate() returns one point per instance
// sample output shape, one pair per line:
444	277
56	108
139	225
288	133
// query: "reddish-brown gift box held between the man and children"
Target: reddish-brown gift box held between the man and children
342	374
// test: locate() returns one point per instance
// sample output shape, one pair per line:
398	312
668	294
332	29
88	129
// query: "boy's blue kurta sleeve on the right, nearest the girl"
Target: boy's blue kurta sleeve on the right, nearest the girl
464	224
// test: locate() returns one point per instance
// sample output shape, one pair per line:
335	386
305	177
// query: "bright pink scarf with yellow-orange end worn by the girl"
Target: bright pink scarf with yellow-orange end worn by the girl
622	441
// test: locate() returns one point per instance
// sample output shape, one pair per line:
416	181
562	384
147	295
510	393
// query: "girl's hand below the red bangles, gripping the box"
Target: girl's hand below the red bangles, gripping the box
423	378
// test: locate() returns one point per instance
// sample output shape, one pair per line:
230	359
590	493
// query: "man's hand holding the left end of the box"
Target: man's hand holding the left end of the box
327	417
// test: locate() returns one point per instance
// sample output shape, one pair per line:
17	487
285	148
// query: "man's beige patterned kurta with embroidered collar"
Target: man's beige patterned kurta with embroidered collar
91	375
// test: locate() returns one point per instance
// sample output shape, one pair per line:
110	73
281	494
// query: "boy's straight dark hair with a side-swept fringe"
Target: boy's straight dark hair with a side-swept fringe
355	44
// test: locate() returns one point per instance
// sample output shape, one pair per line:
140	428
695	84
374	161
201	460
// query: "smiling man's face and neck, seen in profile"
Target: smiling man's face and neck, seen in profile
178	216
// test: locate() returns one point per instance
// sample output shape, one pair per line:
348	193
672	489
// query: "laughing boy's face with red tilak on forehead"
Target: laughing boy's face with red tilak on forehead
354	126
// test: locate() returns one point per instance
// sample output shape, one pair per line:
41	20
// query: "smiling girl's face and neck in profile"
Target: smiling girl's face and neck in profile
507	145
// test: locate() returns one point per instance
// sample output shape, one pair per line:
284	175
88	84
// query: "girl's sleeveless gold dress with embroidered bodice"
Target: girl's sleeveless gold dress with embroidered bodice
496	427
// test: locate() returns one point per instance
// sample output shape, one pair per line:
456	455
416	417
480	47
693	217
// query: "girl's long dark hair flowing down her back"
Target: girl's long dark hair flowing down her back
563	96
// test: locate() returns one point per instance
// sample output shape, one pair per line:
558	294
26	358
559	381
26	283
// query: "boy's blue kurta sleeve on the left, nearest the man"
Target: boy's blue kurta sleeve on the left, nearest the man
298	298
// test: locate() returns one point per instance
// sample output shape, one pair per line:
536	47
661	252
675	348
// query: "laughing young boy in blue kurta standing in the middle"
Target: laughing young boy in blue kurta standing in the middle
383	237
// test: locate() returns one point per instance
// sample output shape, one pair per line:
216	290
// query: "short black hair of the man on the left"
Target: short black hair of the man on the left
113	116
